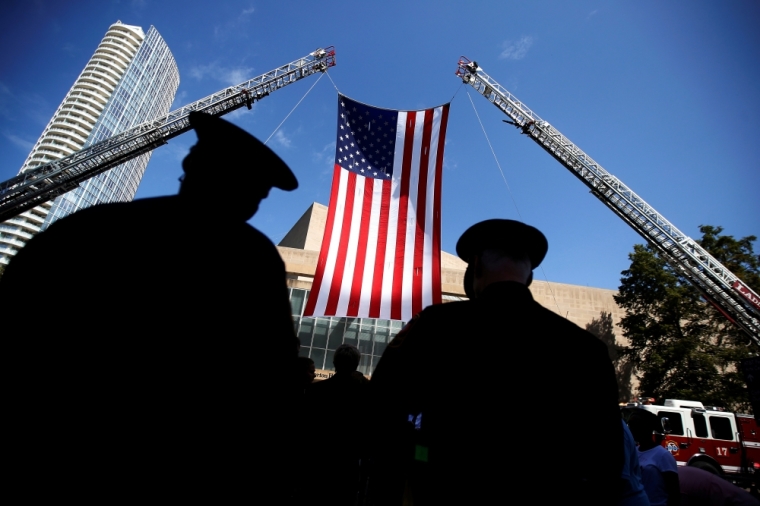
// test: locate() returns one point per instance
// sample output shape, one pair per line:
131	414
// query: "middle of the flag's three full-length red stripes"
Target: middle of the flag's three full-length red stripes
419	240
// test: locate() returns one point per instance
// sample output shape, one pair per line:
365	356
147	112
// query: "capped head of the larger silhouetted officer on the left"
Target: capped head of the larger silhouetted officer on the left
229	170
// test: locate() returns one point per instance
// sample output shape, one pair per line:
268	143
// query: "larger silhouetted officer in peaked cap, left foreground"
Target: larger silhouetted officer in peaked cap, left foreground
140	333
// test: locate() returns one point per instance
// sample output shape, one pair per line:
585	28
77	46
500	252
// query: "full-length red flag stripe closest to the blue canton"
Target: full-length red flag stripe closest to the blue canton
403	205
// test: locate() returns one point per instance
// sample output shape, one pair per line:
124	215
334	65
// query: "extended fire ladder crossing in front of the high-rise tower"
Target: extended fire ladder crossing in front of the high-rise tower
45	182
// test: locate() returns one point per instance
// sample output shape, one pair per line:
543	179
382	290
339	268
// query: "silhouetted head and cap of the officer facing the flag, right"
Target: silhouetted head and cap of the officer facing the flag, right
500	250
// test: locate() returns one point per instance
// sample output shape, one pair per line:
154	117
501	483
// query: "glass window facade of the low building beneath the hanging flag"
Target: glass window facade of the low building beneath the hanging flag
322	335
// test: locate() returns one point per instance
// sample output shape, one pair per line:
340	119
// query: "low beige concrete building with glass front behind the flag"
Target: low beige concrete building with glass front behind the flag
321	336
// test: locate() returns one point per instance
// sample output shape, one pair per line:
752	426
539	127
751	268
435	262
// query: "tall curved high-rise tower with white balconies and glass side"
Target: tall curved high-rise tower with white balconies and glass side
131	78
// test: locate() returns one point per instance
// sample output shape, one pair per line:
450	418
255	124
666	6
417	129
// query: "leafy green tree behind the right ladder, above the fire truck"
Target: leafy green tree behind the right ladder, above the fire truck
680	346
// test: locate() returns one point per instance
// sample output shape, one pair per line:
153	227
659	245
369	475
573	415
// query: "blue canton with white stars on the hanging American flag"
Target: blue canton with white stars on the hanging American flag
366	139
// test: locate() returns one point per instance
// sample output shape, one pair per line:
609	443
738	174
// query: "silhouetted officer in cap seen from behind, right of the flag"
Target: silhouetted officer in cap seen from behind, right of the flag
513	402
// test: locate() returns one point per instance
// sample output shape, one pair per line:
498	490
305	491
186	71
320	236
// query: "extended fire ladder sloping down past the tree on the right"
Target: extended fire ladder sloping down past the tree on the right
720	286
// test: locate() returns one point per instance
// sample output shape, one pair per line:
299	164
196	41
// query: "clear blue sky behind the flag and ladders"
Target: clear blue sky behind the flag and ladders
663	94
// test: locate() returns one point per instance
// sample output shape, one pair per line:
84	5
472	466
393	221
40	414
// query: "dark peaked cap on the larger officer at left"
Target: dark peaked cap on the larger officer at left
216	135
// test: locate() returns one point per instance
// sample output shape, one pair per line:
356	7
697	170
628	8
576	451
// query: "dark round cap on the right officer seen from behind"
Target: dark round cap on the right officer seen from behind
507	235
